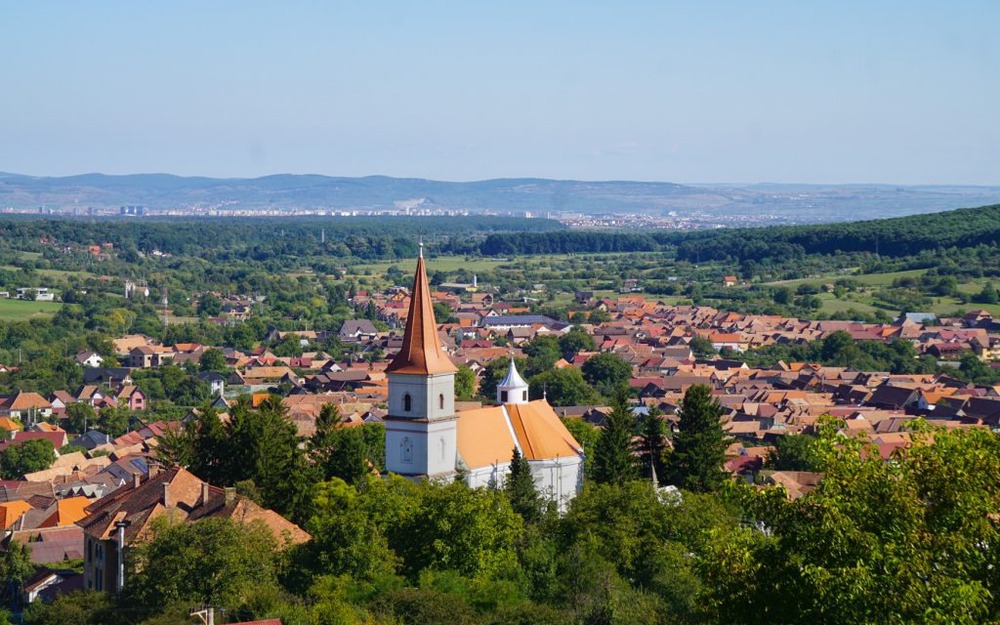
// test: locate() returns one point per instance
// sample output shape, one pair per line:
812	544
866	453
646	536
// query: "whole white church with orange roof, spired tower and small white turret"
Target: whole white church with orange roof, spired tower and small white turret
425	437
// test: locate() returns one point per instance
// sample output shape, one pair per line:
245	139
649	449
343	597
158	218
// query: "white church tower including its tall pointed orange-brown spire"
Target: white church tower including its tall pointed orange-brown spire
421	427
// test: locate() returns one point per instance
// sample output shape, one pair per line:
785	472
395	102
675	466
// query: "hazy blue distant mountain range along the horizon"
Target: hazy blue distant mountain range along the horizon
727	203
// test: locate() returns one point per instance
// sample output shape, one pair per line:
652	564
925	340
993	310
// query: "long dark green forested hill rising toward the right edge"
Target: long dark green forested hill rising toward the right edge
897	237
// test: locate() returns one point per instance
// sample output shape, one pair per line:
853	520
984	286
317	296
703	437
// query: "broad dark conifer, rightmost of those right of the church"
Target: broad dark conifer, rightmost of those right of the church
696	463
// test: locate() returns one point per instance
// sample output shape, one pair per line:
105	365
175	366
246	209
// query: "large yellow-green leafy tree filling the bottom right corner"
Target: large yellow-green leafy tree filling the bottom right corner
909	541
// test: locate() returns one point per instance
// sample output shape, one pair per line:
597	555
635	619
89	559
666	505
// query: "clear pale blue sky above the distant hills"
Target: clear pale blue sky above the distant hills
898	92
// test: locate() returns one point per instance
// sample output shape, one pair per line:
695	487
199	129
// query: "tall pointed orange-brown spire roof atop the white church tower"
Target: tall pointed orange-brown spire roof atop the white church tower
421	351
